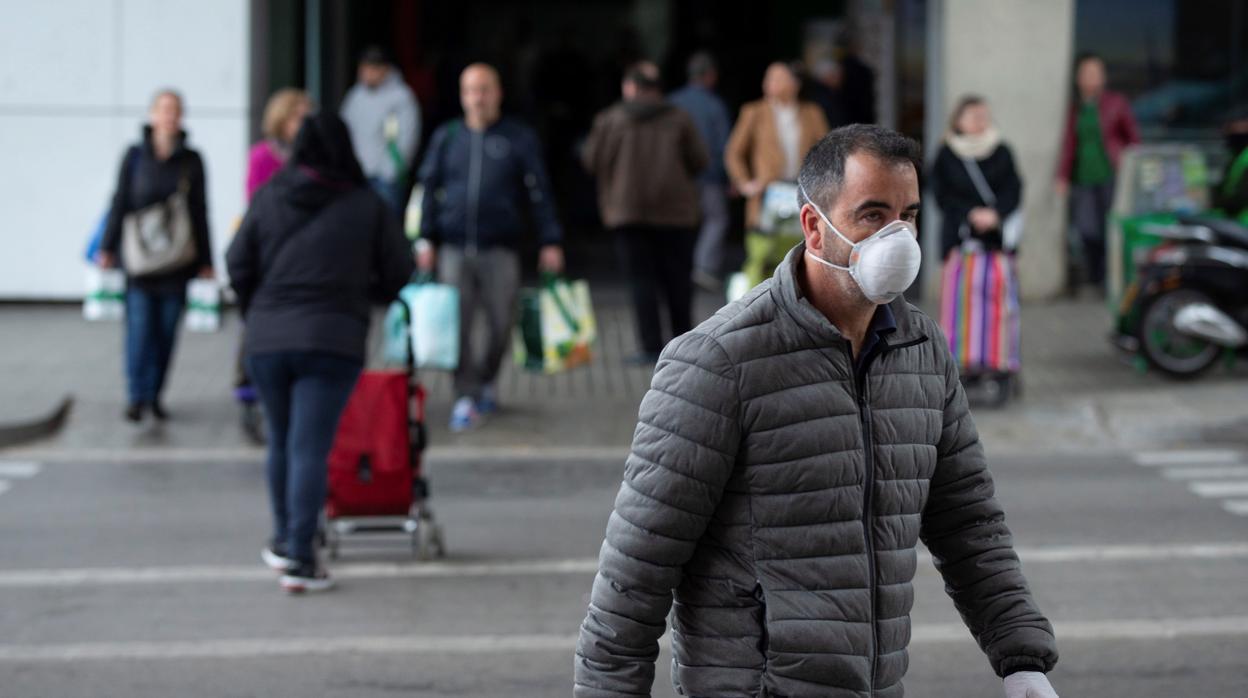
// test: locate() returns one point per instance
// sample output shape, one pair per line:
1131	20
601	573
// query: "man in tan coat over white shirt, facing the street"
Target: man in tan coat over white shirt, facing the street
768	145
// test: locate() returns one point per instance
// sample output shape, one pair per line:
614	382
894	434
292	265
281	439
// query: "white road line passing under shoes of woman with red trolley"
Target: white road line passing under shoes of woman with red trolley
87	578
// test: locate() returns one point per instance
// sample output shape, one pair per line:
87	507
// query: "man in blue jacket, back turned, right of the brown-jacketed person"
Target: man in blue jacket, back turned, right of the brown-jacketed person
709	114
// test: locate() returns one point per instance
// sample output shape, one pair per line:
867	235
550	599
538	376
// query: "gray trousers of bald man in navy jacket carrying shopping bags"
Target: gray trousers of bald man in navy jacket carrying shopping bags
489	280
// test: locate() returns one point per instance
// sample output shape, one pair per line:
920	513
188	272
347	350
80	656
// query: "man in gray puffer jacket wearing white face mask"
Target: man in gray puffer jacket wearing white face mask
791	454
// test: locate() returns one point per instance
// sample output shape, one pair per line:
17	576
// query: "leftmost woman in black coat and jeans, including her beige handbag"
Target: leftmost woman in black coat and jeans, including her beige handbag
158	232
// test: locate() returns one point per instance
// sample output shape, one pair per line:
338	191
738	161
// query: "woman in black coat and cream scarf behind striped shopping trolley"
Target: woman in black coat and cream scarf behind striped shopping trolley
965	213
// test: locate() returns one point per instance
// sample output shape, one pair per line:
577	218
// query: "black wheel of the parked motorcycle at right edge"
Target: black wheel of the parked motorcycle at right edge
1164	347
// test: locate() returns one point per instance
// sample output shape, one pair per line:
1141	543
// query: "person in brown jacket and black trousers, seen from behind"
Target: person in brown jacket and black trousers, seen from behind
647	155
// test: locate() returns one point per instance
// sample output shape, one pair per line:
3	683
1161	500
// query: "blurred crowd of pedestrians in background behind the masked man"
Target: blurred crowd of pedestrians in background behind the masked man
323	240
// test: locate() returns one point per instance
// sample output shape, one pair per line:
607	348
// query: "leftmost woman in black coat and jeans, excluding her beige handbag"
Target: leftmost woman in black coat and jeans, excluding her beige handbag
152	173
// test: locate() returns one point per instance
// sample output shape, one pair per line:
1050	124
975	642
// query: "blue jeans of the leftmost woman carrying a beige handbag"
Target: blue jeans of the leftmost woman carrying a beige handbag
152	332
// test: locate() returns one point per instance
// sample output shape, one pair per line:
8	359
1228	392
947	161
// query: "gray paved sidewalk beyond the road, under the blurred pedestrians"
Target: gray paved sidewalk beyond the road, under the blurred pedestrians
1079	395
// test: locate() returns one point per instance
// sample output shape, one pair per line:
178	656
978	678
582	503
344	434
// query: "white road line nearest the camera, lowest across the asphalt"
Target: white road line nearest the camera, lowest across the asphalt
249	649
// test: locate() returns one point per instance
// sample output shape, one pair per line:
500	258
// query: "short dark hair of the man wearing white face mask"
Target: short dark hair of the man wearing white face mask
823	173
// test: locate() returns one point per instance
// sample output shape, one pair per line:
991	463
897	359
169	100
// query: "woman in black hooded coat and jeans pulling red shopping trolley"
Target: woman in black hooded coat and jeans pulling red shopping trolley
316	250
